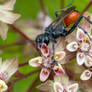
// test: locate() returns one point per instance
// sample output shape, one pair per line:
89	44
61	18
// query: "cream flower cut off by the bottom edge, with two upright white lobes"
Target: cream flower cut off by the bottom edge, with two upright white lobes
58	85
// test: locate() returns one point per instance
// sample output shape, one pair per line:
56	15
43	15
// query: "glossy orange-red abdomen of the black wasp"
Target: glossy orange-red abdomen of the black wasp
71	18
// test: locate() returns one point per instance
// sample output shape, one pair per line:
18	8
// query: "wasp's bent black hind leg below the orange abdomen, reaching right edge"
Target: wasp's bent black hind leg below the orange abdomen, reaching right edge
76	24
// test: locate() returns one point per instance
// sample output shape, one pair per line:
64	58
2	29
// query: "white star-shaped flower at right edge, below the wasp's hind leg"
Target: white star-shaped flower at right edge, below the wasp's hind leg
83	46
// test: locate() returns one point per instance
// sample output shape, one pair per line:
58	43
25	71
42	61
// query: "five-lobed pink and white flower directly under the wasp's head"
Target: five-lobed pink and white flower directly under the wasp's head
45	61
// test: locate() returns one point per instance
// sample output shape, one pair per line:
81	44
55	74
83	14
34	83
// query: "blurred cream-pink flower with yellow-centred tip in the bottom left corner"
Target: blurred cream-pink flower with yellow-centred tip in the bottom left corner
7	69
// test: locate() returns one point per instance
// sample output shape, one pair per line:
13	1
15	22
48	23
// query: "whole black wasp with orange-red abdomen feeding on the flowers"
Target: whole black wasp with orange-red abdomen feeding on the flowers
58	28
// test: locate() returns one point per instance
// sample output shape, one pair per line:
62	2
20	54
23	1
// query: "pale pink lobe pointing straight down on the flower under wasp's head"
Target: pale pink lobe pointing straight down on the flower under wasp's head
45	72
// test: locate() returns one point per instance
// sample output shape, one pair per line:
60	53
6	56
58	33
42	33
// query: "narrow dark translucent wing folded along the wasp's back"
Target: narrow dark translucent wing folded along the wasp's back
62	16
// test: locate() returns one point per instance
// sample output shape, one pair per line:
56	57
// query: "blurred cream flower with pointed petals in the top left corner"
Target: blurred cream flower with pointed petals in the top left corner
7	17
